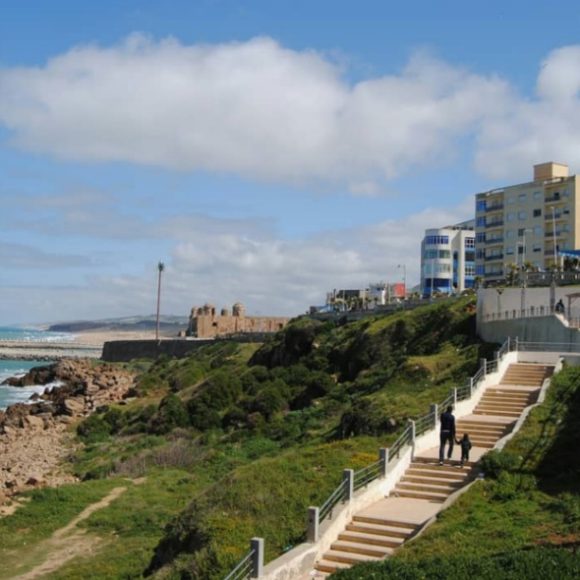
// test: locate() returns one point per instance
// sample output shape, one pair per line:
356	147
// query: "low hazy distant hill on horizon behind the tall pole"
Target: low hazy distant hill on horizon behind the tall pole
130	323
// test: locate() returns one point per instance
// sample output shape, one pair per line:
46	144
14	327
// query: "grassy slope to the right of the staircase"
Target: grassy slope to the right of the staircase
523	520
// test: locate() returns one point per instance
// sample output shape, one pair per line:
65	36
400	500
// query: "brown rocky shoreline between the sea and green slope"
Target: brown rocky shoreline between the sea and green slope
36	438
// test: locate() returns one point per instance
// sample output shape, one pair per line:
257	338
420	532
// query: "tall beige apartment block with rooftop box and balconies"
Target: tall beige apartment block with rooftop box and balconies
527	224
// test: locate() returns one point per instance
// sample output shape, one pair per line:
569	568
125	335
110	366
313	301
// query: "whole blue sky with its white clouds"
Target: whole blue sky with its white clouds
265	152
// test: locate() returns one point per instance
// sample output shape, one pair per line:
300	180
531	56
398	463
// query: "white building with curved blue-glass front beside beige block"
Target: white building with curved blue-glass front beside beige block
448	259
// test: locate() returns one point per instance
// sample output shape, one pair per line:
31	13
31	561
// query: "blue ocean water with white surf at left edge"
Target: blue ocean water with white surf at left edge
10	368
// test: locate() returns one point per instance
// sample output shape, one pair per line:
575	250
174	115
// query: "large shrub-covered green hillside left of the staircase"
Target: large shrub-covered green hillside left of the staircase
238	440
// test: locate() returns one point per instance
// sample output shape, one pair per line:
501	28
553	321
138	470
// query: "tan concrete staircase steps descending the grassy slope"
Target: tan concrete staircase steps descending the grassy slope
379	530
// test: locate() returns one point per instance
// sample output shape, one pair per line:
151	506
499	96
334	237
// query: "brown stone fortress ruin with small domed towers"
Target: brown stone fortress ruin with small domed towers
204	322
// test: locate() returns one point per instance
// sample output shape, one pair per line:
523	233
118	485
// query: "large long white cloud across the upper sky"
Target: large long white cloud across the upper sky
252	108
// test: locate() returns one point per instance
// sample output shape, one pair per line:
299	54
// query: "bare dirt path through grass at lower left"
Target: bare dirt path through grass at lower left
68	542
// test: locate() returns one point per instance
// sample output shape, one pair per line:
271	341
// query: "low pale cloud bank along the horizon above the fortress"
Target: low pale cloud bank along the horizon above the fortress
223	264
